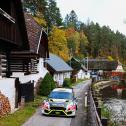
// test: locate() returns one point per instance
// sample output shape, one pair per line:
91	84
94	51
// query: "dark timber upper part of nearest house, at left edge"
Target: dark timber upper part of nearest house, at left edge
12	33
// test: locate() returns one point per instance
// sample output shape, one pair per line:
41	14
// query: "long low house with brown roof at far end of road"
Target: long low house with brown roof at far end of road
99	68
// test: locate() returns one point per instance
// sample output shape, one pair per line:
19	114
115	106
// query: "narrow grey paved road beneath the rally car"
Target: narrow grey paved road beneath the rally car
80	120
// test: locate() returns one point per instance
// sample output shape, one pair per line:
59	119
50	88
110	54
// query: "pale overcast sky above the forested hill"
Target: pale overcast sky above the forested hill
111	13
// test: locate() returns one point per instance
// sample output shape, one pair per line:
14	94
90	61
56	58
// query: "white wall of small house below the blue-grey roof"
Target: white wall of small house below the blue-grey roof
59	77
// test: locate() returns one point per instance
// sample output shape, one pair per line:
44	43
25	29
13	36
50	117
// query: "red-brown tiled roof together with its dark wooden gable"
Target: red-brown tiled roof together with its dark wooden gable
37	37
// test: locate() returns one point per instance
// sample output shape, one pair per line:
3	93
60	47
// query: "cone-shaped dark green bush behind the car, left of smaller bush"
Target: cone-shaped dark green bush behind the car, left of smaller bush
47	85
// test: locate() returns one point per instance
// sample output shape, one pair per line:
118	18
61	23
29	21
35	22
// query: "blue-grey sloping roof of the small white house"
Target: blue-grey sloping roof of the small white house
58	64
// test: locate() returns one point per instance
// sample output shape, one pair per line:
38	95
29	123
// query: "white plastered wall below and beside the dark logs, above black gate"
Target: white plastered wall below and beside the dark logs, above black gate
32	77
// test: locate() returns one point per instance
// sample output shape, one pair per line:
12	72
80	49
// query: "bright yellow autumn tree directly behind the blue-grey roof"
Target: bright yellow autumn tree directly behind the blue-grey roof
58	43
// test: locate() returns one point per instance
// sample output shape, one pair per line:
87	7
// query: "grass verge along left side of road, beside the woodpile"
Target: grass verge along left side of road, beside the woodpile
20	116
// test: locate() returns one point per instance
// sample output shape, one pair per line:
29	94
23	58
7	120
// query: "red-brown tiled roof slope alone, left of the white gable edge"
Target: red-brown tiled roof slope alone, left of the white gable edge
33	32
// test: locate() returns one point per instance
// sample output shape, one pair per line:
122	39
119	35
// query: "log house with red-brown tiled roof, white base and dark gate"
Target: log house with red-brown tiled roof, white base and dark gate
28	65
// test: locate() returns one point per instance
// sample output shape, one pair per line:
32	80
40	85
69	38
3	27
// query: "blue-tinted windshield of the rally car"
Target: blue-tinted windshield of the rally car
61	95
